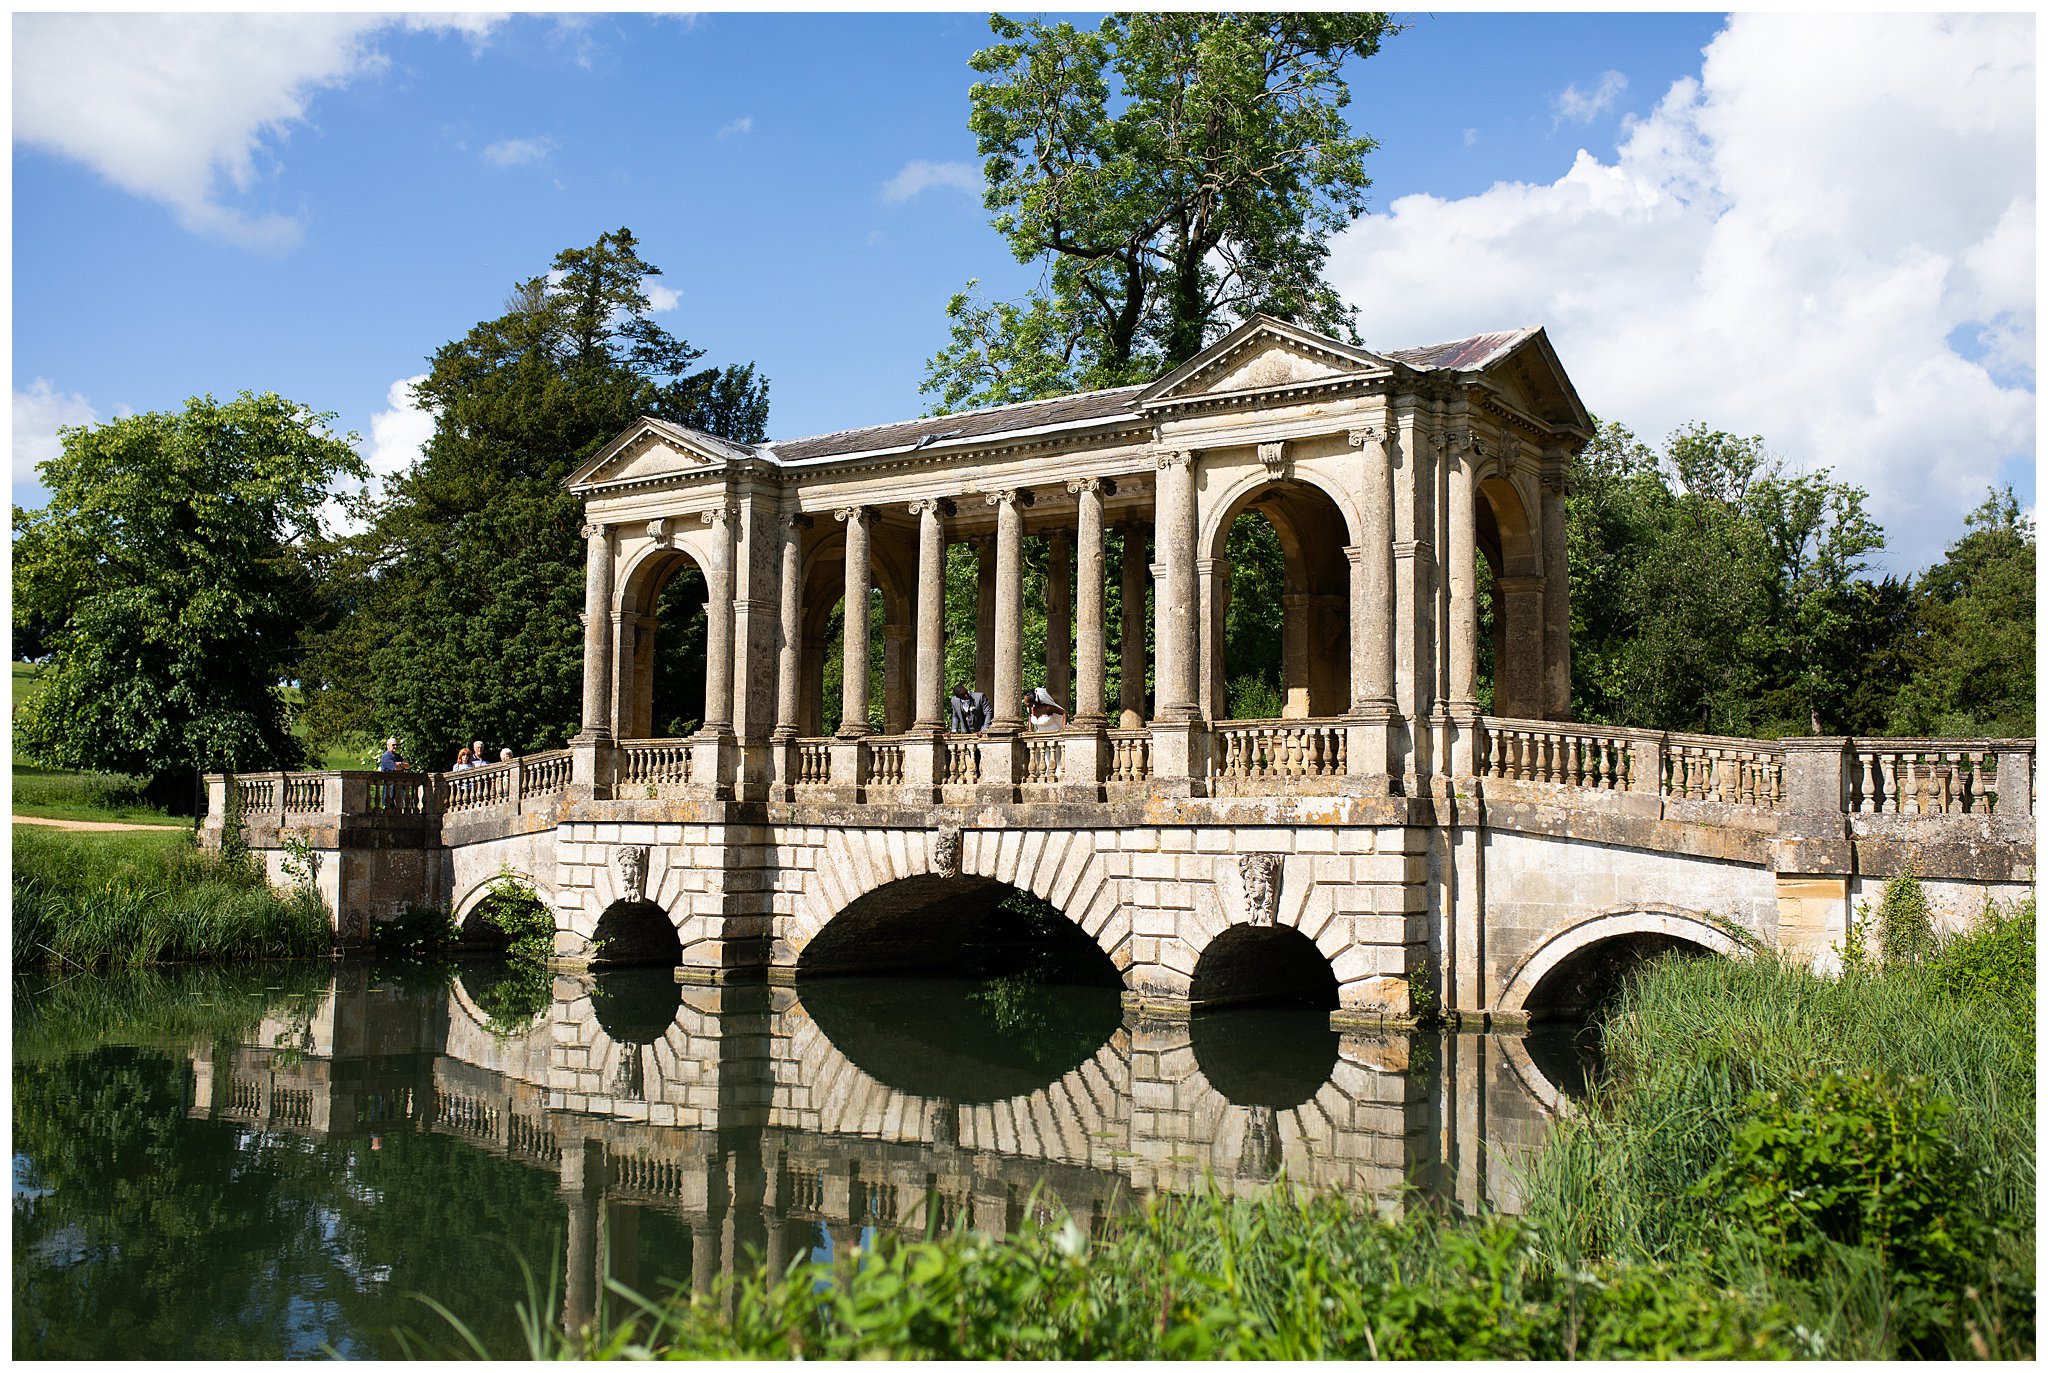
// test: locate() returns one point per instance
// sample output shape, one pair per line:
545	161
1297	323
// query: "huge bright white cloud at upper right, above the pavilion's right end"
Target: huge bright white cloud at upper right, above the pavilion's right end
1785	247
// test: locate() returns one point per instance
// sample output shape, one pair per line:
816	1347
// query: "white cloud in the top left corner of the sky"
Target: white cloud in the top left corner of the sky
191	110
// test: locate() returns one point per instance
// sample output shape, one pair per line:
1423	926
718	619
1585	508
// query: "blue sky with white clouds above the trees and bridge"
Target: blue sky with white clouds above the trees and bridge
312	206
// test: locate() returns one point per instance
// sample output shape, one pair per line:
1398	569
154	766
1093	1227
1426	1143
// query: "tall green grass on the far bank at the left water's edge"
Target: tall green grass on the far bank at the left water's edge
138	899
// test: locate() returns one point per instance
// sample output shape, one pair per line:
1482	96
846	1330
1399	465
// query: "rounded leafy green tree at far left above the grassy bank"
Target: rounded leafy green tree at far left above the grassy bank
173	567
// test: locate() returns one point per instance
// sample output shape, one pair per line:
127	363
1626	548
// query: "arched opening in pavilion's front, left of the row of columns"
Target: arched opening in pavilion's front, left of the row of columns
663	651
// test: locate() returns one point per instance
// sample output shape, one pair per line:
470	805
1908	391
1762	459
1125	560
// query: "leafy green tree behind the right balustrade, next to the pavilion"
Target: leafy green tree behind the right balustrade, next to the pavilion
1717	591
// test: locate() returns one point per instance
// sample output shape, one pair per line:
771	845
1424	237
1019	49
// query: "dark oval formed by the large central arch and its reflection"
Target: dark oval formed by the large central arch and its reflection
959	989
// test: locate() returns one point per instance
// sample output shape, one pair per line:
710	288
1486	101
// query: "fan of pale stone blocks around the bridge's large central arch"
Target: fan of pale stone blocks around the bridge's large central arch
1058	866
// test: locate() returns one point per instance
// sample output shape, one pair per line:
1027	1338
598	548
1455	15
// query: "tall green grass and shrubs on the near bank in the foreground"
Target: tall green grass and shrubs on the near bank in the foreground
1779	1165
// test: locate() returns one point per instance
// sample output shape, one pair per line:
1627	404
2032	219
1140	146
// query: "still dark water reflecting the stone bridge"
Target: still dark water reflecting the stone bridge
255	1165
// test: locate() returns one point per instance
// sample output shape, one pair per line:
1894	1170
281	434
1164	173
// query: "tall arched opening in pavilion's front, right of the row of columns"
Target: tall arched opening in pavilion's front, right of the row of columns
1279	624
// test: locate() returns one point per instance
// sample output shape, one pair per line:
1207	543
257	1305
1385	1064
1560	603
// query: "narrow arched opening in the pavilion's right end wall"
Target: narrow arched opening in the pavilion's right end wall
1508	604
